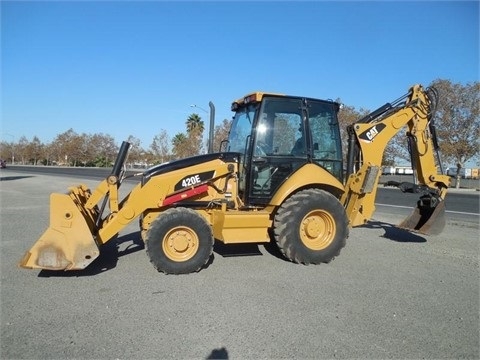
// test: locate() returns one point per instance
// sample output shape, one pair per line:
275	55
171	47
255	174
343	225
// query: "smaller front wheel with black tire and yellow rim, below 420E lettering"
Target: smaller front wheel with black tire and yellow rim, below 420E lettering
179	241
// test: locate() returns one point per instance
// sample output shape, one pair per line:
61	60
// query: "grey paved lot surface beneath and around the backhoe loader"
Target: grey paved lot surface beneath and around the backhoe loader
390	294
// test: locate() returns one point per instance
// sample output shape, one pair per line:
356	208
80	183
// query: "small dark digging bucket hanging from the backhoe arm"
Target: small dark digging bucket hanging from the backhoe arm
427	218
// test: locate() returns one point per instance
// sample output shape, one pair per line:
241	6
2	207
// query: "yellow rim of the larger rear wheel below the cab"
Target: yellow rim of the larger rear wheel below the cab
317	230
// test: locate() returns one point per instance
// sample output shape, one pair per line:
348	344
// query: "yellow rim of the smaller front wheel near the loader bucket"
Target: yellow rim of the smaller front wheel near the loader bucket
180	244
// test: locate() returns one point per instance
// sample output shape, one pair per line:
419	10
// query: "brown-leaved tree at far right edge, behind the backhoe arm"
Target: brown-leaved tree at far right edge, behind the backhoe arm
458	121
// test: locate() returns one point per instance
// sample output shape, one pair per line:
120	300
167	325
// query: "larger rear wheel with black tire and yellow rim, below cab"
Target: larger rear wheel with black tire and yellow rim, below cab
311	227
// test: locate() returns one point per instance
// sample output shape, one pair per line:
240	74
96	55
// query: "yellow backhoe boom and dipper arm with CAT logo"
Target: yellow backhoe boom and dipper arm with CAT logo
368	139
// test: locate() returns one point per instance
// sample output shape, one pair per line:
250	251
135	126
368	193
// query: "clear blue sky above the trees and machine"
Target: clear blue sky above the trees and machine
135	68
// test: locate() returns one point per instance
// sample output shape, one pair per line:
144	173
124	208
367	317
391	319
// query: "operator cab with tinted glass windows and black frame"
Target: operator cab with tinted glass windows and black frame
278	134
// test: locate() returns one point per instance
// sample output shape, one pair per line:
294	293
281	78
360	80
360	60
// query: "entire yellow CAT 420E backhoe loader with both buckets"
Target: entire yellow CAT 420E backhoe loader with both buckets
280	178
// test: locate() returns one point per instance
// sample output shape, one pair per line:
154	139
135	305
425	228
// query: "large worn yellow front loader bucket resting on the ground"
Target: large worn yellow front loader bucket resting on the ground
68	243
